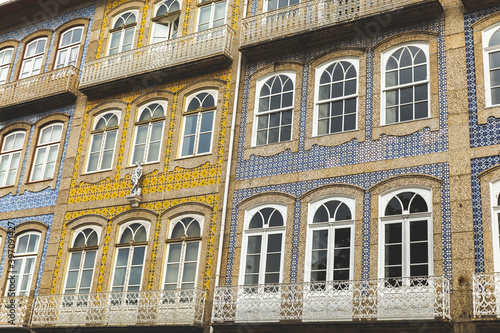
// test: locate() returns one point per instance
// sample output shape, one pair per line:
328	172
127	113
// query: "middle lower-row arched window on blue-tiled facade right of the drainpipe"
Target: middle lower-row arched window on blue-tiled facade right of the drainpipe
330	240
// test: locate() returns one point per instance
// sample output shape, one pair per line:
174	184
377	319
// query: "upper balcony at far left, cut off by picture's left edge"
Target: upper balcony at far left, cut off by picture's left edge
47	90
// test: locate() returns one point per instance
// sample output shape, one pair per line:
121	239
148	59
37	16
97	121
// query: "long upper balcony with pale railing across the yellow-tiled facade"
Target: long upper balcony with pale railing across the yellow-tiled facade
157	63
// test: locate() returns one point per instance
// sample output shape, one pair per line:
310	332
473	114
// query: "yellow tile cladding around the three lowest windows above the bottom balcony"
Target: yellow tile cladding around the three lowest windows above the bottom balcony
157	207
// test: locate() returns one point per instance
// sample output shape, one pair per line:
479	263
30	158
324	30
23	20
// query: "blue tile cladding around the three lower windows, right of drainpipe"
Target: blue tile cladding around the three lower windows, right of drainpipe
364	180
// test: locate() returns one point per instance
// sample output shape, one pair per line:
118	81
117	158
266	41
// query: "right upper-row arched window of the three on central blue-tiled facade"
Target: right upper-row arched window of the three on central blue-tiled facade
406	88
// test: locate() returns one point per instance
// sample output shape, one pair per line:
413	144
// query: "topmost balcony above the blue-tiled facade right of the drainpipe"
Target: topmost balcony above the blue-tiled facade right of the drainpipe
319	22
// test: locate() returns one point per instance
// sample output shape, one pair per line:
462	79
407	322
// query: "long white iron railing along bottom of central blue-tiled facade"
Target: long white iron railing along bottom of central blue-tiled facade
383	299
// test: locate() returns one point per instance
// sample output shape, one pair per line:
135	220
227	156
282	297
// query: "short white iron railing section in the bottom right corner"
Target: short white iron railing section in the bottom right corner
486	294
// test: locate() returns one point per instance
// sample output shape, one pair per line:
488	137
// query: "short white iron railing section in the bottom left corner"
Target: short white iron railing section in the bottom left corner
15	311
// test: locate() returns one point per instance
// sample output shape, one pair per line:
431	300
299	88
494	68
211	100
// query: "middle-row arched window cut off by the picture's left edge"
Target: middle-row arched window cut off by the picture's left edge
10	155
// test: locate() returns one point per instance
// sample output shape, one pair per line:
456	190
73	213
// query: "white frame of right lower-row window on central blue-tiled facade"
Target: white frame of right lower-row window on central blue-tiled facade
405	219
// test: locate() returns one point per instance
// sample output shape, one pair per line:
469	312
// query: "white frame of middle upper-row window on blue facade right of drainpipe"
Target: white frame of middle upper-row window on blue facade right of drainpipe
319	71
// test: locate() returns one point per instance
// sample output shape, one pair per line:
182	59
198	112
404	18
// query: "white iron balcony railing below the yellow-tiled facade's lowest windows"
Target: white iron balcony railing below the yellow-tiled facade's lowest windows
152	307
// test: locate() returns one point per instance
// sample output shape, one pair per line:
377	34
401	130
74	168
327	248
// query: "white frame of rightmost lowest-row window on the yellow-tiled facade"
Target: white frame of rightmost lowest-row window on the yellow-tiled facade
184	243
